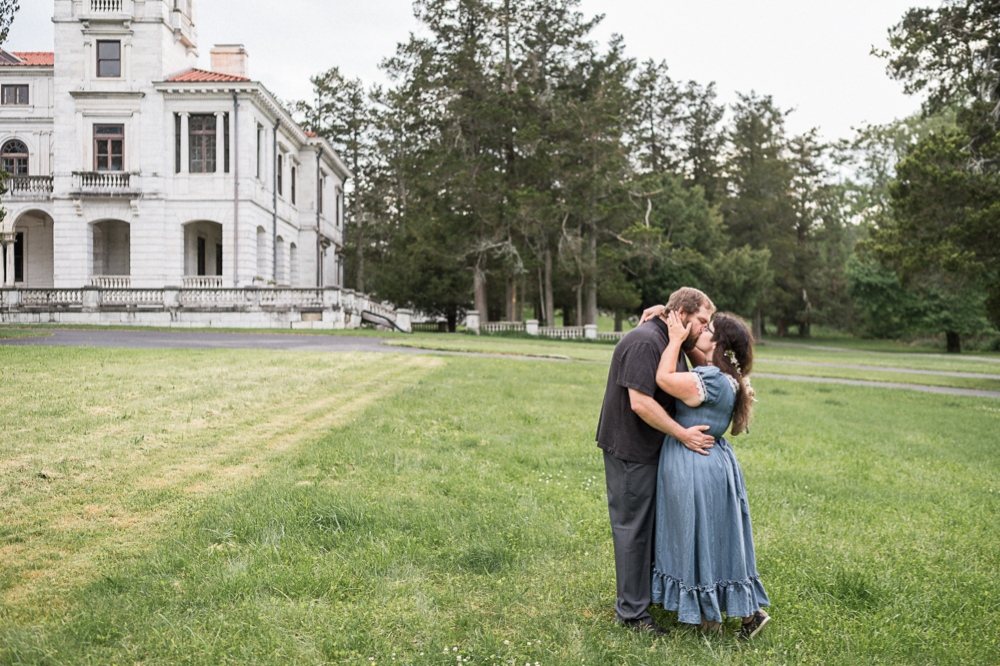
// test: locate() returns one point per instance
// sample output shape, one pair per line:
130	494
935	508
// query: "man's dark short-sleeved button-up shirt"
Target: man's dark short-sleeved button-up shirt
620	431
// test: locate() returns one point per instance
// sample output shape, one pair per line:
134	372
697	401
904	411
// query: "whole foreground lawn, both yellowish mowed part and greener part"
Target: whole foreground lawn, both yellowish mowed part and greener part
398	507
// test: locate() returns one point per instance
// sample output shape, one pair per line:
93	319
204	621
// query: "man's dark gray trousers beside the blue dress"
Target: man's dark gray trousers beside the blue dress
632	507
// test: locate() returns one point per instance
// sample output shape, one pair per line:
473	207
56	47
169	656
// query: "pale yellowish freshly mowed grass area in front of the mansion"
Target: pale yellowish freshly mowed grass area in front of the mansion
129	440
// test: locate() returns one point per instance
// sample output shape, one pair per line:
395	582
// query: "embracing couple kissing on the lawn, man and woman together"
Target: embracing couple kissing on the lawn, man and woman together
678	504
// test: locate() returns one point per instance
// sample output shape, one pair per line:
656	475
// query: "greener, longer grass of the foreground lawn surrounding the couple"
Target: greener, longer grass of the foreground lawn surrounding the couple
468	512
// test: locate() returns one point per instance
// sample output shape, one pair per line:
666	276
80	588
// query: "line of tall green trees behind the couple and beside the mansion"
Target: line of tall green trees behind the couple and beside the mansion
513	163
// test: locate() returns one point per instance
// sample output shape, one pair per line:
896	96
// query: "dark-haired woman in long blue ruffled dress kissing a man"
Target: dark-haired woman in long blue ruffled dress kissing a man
703	558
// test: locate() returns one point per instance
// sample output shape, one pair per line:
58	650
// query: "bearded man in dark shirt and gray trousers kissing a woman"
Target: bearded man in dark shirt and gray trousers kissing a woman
634	418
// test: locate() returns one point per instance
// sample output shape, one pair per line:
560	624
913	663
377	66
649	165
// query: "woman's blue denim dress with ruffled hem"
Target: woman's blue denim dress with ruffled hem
703	558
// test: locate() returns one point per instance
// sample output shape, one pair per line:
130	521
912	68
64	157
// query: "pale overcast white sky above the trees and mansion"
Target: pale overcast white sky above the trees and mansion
809	55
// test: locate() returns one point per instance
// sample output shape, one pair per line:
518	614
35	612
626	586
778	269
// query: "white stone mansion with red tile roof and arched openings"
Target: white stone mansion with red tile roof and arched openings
133	169
